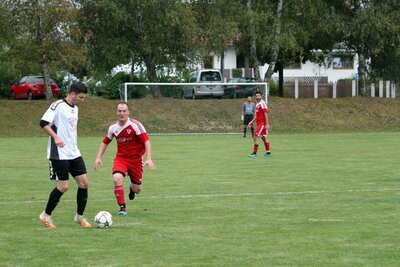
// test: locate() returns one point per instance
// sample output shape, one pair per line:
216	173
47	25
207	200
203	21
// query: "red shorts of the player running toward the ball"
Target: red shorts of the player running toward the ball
132	167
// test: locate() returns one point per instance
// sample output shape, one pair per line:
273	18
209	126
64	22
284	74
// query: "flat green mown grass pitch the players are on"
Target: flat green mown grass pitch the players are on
321	200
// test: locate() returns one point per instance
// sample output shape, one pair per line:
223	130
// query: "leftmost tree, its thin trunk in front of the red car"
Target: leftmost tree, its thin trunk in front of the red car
45	32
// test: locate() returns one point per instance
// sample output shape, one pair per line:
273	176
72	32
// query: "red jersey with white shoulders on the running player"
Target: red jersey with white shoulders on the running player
130	138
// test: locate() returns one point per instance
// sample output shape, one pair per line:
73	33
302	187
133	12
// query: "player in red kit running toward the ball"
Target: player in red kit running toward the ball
132	143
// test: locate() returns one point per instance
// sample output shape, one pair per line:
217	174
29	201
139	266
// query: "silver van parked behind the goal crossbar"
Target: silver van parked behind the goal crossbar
204	76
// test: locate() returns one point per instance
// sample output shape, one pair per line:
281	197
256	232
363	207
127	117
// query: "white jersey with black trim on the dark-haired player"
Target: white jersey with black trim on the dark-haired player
63	119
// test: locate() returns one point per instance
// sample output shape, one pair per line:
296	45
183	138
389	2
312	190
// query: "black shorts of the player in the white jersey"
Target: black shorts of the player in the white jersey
60	169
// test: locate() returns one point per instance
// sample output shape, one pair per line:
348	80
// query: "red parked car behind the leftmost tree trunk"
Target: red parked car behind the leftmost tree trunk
30	87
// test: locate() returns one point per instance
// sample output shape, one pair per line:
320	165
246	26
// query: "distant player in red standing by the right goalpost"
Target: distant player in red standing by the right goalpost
261	118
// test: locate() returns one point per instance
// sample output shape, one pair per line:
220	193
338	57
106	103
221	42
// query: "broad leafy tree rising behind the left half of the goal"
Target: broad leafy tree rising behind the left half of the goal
156	34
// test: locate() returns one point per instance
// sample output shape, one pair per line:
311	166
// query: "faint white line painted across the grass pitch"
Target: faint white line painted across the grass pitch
289	193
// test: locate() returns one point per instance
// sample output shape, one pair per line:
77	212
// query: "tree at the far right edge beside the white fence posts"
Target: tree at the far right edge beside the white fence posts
371	29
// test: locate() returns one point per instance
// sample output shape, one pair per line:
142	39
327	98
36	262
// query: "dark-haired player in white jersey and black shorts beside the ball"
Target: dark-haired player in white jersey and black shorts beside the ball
60	122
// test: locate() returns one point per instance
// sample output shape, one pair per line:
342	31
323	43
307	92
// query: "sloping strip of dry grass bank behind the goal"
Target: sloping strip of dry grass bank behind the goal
165	115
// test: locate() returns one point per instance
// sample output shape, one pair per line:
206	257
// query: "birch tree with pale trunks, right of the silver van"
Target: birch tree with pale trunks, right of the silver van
286	32
